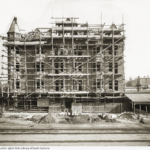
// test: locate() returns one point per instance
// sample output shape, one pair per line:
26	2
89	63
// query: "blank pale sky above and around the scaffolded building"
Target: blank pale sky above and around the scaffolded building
134	13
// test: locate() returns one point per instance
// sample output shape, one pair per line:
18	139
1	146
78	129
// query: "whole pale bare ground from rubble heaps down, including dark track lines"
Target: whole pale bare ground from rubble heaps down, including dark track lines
111	134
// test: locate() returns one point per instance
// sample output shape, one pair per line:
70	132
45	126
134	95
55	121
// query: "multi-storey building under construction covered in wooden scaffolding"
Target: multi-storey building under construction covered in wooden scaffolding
78	66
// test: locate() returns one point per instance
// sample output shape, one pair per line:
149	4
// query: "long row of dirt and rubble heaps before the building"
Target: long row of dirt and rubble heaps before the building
125	117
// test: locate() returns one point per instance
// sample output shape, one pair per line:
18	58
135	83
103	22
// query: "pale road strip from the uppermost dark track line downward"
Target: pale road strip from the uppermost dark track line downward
74	137
